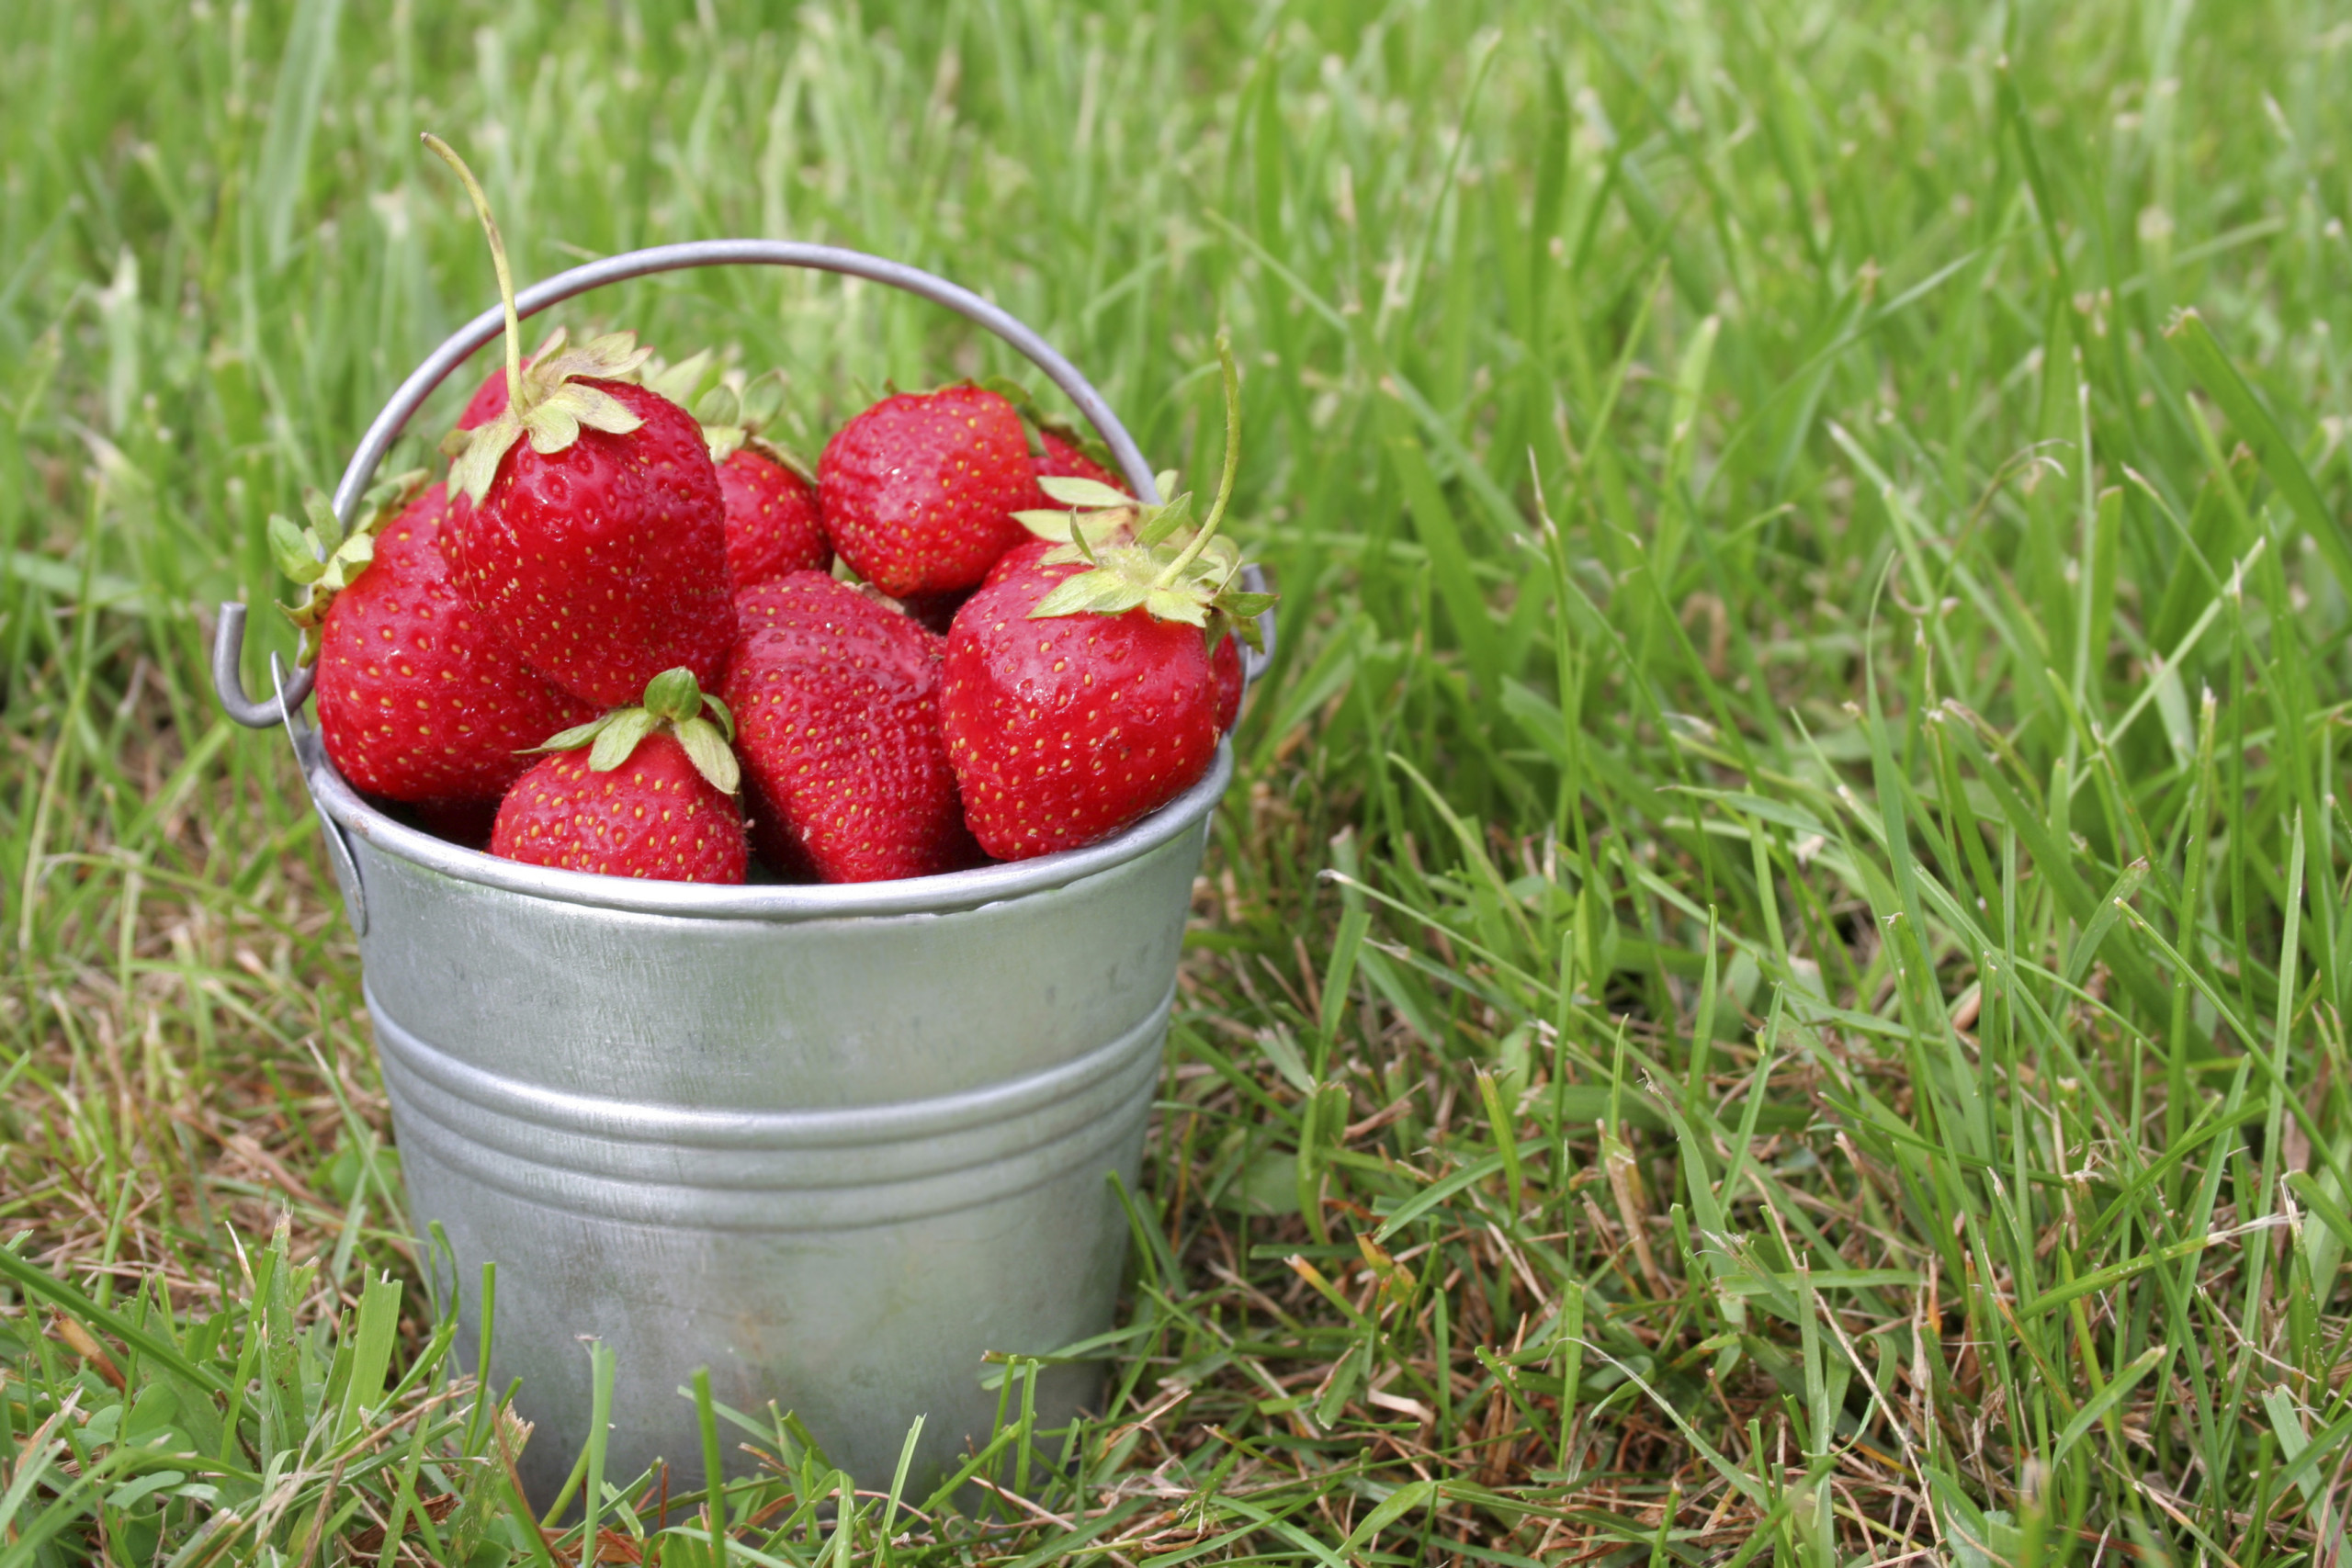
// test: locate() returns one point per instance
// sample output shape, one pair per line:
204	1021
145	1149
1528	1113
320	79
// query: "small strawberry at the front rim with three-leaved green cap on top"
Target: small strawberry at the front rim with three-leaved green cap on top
653	796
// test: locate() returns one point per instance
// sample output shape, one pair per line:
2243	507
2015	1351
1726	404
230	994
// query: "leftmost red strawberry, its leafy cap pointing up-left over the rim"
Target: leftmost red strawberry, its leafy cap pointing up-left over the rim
420	699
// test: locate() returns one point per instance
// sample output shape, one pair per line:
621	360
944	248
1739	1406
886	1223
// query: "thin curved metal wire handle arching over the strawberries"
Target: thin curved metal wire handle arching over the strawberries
281	706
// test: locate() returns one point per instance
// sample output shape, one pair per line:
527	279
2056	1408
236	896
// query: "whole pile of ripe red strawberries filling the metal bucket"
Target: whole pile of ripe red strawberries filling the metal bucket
617	638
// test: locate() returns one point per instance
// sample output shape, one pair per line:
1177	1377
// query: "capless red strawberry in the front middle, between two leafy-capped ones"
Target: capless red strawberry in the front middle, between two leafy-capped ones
836	699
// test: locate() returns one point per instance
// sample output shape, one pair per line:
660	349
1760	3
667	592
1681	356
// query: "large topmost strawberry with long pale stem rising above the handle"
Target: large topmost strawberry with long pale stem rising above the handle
601	542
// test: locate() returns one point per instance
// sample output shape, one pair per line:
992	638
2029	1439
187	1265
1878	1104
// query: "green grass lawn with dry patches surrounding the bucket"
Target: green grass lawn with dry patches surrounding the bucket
1772	986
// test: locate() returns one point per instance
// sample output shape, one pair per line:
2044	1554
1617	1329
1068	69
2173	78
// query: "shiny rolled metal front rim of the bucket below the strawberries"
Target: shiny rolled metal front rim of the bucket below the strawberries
789	902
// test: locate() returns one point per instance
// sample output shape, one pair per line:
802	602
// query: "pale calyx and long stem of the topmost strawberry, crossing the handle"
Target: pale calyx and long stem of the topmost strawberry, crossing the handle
544	401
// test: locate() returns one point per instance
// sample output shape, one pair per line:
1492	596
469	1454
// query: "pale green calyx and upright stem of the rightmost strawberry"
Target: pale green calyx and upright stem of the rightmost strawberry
1151	556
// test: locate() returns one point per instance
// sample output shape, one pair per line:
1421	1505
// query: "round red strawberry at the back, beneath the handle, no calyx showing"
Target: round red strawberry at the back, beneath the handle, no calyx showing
921	490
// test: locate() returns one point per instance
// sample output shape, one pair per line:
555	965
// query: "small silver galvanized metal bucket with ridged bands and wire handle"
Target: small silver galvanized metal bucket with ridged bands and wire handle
834	1144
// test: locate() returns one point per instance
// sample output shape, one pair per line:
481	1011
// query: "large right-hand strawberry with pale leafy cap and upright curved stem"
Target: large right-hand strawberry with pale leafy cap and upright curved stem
1083	692
